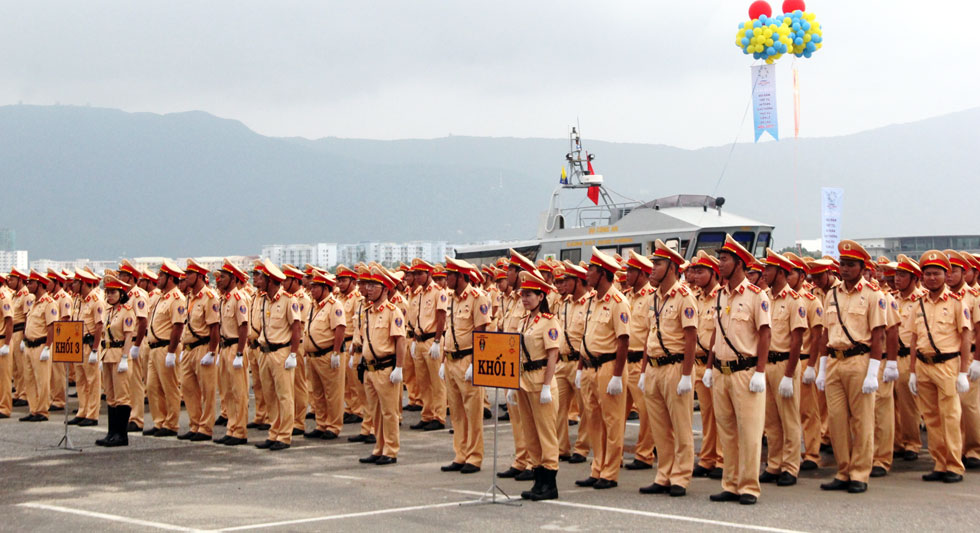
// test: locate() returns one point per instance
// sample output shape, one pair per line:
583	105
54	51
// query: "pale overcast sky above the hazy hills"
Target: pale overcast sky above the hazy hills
647	71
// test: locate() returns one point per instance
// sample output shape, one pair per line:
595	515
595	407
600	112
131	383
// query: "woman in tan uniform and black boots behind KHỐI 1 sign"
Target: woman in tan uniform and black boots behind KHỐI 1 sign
540	334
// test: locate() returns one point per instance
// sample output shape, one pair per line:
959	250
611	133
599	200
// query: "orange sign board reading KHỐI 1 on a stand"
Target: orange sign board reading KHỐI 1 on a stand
497	359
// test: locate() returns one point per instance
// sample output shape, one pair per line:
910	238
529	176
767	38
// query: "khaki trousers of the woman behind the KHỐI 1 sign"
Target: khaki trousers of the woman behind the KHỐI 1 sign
540	422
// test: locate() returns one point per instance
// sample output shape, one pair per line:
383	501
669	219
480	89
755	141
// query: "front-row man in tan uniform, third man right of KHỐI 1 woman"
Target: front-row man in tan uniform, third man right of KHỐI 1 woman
737	375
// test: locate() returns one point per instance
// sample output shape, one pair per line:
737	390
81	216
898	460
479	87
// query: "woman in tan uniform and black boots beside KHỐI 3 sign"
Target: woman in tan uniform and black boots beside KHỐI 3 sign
120	329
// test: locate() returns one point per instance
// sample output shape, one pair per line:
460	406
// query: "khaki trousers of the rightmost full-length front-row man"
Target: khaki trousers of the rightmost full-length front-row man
939	404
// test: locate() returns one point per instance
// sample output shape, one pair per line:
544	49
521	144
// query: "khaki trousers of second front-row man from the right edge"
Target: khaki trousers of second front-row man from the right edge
851	417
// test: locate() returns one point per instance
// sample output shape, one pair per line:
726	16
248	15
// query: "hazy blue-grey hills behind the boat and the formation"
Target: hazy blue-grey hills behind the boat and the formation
101	183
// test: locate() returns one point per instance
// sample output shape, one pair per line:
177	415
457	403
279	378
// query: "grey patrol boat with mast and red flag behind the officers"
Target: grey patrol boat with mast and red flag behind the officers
686	223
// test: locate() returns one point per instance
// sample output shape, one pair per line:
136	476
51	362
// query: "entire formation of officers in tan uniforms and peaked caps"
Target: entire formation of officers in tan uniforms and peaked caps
849	354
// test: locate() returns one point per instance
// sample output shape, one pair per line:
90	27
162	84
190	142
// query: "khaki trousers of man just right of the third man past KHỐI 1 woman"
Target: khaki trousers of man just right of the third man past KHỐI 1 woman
782	426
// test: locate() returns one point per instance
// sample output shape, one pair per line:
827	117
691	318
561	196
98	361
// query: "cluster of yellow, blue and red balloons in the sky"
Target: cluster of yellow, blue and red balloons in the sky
767	37
